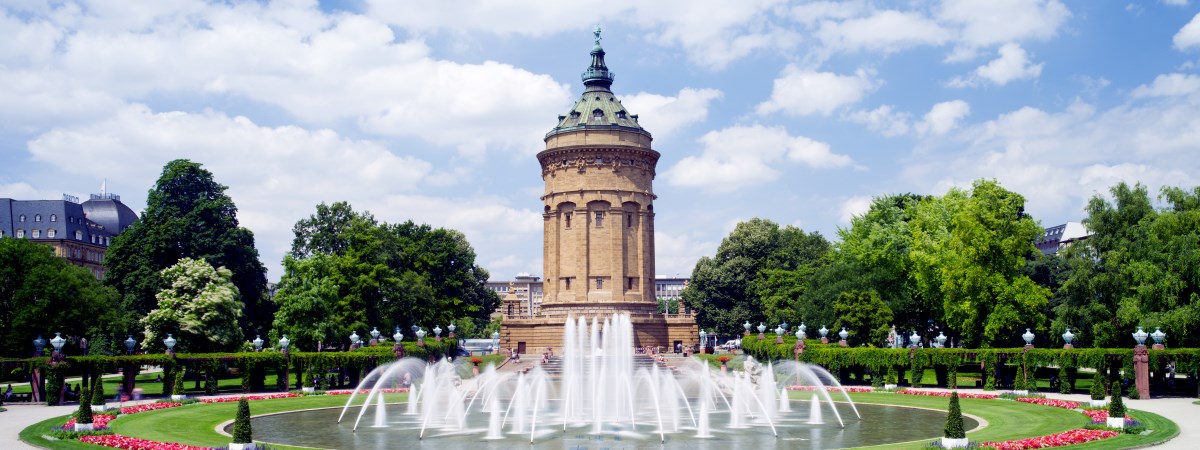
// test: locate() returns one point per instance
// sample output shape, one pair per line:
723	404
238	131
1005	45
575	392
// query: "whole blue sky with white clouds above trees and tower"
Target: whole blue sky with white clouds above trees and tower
434	111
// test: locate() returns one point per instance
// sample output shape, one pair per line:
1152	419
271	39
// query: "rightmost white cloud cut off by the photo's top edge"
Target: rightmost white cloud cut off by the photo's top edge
988	23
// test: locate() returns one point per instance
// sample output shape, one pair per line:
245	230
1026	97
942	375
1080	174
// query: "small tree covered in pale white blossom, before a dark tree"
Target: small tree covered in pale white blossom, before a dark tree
200	307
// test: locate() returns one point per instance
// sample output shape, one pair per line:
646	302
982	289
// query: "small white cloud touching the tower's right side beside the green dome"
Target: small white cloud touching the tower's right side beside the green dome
664	116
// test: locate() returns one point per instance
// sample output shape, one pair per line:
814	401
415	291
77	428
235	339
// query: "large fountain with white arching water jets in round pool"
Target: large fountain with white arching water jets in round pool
601	392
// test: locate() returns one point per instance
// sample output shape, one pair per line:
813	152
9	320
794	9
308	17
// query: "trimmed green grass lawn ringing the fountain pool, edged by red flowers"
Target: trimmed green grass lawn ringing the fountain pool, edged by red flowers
196	424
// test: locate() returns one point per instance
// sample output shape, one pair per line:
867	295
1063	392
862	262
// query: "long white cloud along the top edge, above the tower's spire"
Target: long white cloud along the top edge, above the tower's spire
713	33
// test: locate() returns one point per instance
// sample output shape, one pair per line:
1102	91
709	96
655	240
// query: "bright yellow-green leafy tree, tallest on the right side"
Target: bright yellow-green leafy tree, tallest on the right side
969	251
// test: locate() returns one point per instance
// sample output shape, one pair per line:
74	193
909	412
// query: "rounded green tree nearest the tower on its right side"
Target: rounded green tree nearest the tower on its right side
748	279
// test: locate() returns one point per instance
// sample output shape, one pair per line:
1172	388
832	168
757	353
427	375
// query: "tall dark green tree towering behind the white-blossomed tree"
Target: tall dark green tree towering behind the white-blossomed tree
188	215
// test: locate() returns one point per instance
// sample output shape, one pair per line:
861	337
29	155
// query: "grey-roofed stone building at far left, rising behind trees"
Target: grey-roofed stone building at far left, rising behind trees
80	232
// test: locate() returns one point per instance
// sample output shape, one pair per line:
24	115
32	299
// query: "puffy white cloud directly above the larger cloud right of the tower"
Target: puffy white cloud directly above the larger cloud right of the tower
802	92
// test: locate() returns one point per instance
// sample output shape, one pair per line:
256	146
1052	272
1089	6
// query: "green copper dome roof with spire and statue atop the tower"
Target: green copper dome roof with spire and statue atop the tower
598	109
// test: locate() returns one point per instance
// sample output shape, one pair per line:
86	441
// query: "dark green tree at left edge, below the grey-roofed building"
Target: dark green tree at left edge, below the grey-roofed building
41	293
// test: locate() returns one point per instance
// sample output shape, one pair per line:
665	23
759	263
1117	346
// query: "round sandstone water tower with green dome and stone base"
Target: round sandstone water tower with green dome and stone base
598	217
